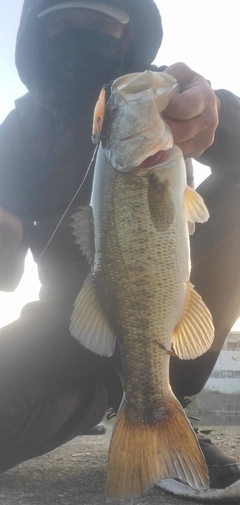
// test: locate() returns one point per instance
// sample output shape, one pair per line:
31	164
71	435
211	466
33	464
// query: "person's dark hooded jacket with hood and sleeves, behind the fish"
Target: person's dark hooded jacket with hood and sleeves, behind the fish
43	157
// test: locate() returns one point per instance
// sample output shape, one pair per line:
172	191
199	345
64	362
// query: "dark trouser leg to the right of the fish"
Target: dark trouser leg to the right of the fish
215	256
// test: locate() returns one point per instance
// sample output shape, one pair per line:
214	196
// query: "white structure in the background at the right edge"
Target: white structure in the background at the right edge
225	377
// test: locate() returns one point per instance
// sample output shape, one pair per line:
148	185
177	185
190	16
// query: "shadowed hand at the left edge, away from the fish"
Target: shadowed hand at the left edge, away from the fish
10	235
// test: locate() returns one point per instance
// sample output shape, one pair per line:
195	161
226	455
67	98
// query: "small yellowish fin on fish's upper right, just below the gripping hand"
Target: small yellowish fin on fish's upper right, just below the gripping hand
195	208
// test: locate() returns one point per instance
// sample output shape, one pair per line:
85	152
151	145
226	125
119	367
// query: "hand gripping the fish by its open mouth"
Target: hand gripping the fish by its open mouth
193	114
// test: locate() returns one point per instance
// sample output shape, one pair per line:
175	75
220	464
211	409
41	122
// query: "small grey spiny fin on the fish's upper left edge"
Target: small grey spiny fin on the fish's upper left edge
84	231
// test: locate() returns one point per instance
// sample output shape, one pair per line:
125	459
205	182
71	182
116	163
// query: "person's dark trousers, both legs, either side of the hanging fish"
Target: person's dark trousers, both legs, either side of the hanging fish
53	389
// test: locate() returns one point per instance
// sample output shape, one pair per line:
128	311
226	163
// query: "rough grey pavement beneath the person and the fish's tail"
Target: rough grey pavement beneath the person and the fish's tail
76	473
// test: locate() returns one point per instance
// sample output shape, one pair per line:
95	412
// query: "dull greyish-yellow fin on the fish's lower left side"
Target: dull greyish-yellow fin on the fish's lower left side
89	324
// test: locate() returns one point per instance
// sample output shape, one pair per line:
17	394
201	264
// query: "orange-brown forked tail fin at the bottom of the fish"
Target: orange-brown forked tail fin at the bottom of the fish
140	455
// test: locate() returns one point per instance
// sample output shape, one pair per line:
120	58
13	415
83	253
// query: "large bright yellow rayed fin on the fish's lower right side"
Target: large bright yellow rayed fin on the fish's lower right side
195	333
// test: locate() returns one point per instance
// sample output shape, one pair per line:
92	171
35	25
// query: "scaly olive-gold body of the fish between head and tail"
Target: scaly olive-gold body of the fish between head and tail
147	280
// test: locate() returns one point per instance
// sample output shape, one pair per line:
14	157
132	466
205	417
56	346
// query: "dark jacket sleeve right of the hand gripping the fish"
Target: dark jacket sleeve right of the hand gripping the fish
224	154
